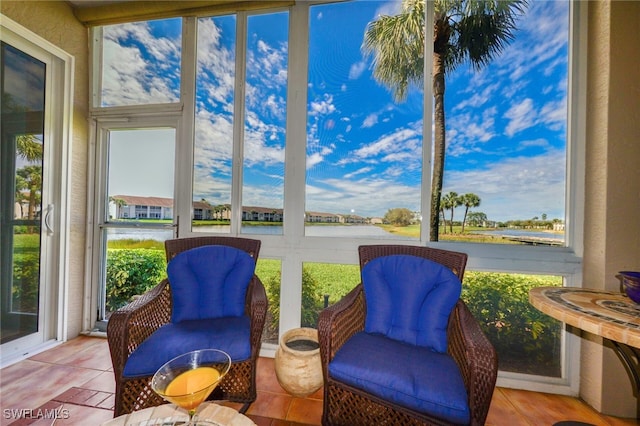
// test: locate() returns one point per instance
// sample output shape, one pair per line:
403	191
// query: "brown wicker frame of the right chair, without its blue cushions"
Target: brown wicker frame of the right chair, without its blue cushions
474	355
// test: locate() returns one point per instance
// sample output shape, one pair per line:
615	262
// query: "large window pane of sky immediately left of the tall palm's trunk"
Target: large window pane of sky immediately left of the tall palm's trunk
364	149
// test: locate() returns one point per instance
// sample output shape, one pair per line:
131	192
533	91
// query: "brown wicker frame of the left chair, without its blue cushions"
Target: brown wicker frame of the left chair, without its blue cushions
133	324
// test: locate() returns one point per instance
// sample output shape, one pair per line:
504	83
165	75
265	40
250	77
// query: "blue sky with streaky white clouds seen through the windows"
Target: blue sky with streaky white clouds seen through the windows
505	125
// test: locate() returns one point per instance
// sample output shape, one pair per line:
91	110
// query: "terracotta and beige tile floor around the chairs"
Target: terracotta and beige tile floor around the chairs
76	378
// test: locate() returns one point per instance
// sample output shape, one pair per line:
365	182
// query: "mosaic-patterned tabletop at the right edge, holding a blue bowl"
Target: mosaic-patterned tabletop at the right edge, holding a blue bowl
608	314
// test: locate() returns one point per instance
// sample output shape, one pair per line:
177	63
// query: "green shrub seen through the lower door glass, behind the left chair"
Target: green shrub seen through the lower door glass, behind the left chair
132	272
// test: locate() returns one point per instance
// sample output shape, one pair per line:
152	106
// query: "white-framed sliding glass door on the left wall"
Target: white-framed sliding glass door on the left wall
32	200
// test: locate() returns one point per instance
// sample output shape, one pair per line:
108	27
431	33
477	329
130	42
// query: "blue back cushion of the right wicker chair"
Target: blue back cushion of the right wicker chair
409	299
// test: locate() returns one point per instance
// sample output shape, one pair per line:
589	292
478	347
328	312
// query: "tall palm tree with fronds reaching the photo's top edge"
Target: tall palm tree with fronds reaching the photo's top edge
464	30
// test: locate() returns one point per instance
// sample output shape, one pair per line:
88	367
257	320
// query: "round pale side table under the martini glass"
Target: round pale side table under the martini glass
167	413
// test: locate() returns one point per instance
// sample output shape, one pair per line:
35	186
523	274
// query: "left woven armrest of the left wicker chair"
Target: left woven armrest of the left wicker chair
132	324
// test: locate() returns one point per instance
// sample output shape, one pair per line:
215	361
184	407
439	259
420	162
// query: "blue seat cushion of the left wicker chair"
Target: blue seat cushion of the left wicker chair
230	334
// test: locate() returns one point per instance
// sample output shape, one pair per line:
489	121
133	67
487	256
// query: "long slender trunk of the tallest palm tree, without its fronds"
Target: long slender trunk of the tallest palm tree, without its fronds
438	143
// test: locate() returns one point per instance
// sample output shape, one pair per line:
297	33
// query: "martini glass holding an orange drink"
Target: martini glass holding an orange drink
187	380
